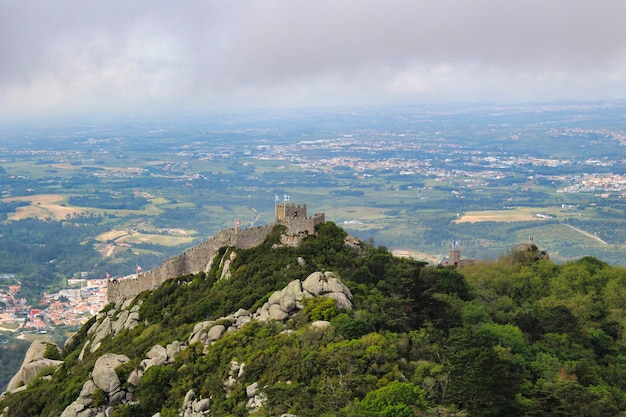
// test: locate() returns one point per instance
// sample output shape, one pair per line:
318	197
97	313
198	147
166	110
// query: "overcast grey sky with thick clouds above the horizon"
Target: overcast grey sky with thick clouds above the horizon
61	56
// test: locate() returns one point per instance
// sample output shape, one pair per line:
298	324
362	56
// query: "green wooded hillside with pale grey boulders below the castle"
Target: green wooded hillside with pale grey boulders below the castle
338	327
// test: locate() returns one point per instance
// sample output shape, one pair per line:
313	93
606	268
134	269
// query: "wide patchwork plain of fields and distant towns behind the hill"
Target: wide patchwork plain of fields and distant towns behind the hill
414	180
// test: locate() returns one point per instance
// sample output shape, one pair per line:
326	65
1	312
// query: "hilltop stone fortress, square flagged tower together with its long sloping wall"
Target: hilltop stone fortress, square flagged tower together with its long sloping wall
198	259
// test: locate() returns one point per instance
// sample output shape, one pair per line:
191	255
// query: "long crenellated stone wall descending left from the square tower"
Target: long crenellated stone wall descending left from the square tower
192	261
